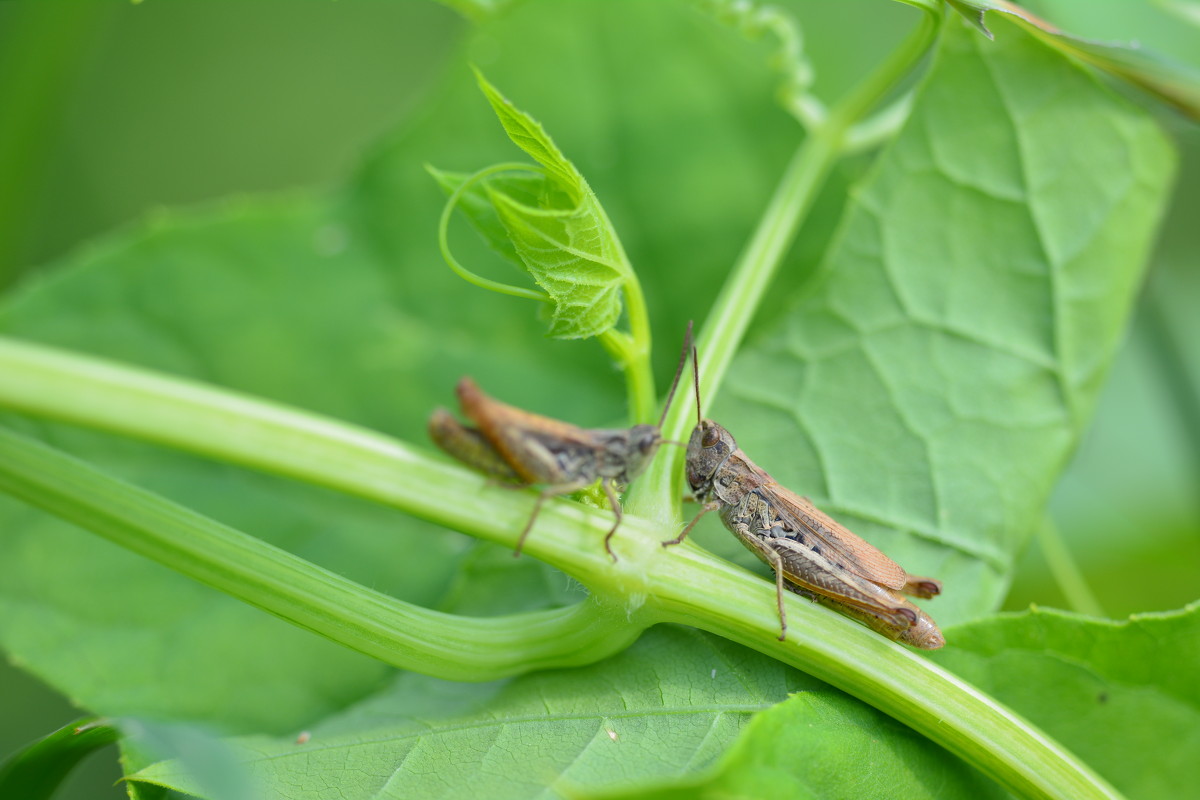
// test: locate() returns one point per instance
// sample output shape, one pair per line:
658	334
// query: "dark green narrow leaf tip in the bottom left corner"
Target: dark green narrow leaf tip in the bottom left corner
35	772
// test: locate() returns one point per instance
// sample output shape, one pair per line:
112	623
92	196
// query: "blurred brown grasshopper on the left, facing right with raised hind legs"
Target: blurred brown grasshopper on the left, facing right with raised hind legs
520	449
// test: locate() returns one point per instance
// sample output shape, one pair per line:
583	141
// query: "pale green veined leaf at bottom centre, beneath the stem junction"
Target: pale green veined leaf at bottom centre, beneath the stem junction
669	705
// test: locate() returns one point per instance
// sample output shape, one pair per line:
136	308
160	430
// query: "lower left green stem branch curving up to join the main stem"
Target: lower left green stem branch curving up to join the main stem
459	648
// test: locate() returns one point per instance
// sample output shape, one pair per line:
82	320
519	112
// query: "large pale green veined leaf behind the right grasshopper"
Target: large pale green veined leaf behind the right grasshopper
932	386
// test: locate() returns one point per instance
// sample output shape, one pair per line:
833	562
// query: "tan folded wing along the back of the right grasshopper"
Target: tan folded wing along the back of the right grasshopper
815	530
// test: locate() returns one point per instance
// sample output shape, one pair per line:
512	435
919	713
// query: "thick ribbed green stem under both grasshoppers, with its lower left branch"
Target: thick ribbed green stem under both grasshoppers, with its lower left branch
681	585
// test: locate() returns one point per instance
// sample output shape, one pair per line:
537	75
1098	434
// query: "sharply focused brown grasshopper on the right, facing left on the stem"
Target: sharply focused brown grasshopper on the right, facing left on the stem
811	554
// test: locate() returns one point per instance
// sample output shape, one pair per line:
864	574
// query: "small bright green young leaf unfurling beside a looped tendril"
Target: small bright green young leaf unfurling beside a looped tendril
548	220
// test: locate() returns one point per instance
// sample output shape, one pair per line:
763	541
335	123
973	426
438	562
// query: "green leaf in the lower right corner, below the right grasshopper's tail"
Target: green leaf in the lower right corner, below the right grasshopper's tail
1123	696
